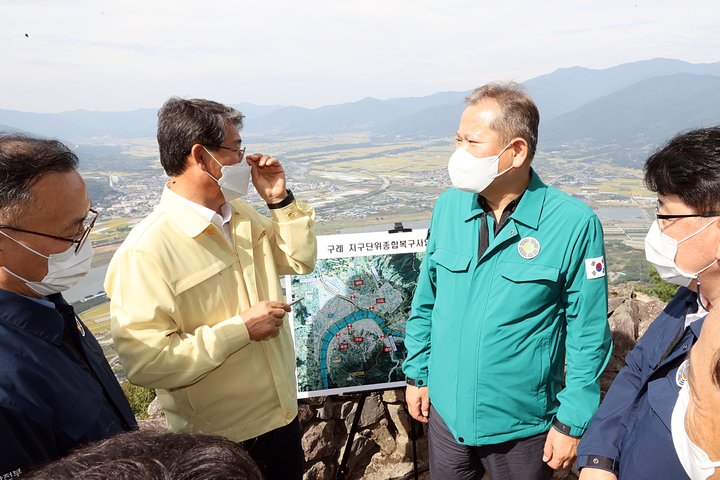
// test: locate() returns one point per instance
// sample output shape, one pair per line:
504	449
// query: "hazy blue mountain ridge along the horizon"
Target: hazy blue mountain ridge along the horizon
617	106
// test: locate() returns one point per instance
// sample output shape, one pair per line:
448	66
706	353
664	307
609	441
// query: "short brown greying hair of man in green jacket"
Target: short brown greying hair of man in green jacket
519	116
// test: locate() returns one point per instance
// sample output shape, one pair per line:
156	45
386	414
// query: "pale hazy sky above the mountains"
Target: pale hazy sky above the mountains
125	54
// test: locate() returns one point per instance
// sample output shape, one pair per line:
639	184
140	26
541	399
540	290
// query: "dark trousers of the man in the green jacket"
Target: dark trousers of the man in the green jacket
514	460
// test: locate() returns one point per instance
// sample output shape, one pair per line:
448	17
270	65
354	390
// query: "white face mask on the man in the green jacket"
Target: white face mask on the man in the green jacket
472	174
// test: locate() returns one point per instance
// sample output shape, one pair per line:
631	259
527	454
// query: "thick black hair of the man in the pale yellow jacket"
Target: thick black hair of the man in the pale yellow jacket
183	123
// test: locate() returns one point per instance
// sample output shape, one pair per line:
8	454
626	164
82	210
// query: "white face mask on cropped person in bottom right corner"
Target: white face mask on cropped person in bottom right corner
695	461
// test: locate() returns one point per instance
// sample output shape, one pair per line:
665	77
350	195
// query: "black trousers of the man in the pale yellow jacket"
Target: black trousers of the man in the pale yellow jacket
278	453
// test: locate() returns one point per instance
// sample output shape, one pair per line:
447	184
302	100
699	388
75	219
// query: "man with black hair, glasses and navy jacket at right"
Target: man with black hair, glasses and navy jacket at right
630	435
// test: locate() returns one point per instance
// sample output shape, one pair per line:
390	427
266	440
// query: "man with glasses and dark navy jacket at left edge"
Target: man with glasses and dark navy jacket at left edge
57	391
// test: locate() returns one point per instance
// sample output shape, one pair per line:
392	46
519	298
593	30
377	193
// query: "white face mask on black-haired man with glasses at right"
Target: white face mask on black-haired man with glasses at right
661	249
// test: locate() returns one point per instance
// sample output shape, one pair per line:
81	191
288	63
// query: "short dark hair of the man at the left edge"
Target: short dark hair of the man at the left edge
23	162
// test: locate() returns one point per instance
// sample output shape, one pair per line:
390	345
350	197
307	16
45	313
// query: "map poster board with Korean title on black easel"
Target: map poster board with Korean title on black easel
349	328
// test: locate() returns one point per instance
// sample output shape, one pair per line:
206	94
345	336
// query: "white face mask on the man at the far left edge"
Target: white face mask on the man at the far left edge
65	269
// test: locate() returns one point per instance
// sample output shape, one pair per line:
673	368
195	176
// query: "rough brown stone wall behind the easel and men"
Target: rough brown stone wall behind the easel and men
382	449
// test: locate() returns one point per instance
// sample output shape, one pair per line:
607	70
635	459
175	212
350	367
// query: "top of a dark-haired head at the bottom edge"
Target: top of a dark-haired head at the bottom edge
154	455
